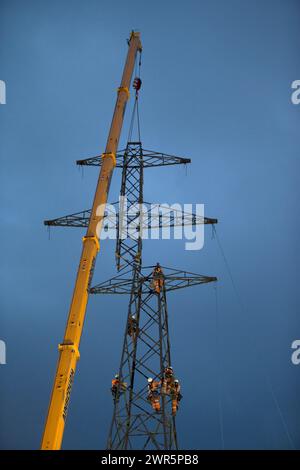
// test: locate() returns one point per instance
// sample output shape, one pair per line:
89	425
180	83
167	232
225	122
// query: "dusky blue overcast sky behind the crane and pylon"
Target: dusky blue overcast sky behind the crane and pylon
216	88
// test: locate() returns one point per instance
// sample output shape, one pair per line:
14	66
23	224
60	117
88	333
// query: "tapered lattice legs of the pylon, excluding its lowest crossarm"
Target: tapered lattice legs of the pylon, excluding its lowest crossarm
135	425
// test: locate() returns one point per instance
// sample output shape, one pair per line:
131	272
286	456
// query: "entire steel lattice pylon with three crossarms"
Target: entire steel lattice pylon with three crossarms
146	352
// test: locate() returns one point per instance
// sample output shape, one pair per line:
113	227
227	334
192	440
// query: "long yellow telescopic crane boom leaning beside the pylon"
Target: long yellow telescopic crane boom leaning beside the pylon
69	348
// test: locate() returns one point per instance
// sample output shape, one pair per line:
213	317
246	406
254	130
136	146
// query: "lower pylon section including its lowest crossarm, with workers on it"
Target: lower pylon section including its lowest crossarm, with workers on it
147	353
